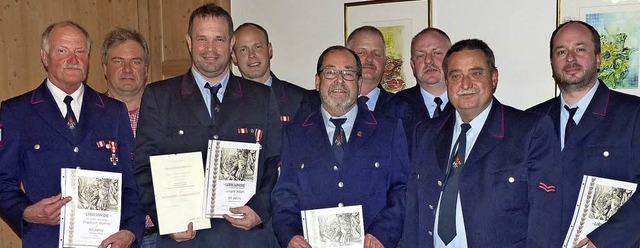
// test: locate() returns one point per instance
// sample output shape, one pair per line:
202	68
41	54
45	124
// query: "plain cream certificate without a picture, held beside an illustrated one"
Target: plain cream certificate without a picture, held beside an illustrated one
178	180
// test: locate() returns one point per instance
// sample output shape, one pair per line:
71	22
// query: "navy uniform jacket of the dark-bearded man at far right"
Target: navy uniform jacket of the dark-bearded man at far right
606	144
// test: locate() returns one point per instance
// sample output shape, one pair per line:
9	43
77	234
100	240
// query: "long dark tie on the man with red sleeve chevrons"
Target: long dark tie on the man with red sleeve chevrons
447	211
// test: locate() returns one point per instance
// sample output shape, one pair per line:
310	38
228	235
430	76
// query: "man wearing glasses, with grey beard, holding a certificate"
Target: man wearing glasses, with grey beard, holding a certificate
341	154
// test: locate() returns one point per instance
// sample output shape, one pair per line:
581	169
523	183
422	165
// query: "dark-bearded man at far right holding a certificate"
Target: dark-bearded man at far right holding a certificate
598	131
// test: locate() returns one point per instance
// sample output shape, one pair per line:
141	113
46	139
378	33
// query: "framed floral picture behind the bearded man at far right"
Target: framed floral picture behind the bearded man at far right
618	22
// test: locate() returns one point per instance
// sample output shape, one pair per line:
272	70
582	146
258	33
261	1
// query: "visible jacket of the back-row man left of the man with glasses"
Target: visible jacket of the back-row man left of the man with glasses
288	96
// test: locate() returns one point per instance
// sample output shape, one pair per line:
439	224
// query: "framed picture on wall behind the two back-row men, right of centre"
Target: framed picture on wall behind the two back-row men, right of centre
398	21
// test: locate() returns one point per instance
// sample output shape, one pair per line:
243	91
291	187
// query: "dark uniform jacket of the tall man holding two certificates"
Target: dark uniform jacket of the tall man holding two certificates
175	119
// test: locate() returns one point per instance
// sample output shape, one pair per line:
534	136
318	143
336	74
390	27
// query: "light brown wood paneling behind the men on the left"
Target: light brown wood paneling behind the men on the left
162	22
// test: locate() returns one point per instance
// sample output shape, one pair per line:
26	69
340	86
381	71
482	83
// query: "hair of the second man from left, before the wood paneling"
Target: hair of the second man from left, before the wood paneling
119	36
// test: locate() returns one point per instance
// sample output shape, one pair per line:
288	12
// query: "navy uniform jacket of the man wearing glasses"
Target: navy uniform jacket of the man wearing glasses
373	173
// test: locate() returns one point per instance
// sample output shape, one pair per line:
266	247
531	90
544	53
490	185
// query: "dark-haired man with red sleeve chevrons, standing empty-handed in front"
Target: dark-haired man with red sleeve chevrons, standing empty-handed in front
485	174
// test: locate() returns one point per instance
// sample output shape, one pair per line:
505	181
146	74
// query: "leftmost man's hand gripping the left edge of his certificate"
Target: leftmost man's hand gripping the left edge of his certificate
46	211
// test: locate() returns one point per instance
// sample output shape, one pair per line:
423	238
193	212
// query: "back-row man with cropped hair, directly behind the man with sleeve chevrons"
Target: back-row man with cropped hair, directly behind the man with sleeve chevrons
429	96
